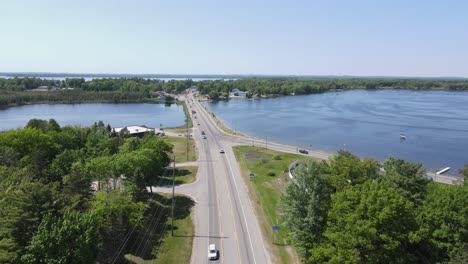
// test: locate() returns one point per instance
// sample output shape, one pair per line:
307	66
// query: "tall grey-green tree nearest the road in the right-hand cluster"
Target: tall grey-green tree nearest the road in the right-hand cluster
304	207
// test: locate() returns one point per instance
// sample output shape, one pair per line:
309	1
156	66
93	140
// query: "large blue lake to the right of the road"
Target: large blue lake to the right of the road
368	123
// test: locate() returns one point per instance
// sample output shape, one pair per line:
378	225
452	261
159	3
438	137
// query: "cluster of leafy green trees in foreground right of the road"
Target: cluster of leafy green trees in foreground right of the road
348	211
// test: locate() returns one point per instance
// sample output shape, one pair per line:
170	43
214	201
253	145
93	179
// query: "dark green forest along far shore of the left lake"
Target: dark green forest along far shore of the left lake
19	91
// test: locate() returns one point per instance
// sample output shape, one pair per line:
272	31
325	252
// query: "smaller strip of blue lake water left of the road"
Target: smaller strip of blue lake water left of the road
117	115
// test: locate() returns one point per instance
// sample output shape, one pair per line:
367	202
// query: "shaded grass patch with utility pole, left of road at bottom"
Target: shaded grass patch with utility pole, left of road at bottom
167	248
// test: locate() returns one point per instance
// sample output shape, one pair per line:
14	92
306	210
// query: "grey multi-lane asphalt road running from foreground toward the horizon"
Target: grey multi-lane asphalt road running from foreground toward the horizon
223	214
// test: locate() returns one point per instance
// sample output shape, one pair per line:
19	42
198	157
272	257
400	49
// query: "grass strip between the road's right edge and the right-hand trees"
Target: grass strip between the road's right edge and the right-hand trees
271	176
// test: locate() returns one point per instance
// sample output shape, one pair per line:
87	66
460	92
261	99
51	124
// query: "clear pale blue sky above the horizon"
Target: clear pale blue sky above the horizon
418	38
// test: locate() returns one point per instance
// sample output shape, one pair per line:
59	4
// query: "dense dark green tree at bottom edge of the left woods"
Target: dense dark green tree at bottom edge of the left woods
71	238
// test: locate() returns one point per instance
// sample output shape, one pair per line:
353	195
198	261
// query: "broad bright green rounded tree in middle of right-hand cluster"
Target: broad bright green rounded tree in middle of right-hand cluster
368	223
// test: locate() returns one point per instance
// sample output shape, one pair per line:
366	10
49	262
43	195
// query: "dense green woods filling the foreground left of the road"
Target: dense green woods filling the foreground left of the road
78	195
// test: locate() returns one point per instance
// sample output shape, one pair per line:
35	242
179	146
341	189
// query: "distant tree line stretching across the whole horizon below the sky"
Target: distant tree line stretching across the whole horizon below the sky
17	91
